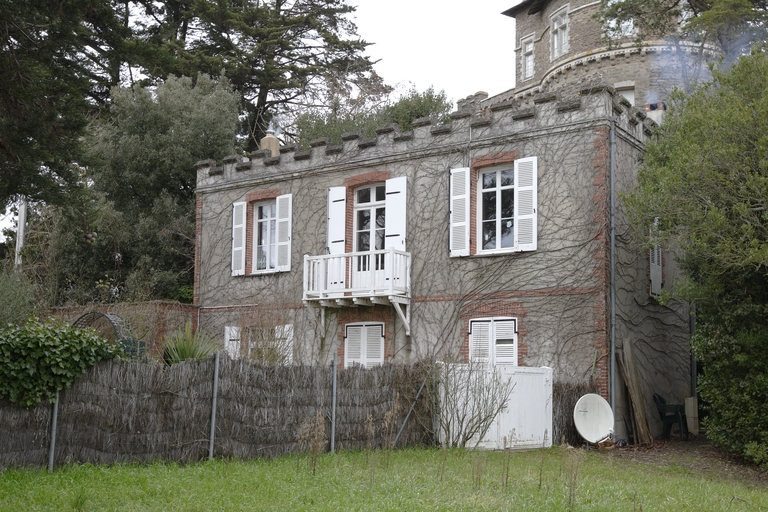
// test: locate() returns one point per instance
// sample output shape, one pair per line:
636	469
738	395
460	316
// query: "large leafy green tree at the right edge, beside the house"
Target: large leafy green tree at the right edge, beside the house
706	180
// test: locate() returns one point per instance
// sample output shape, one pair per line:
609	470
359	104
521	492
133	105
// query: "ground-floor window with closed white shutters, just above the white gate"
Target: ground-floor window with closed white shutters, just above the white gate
493	340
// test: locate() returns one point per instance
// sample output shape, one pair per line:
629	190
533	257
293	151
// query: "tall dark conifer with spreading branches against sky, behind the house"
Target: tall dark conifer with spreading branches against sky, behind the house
280	55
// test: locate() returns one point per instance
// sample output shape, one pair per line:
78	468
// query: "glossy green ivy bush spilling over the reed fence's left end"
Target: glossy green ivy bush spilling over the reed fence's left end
39	358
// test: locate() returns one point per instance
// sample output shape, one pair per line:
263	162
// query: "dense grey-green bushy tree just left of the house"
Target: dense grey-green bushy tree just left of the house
131	233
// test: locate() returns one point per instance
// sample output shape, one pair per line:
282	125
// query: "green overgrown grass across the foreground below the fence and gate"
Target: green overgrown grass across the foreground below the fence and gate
418	479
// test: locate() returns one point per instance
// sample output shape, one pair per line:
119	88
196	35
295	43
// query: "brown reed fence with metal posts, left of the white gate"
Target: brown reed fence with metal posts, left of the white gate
122	411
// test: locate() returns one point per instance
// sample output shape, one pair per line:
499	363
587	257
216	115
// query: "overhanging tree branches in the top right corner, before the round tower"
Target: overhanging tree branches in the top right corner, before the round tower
731	25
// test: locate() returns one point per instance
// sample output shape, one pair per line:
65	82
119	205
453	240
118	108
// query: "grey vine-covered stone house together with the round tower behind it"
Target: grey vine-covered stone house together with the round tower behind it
498	236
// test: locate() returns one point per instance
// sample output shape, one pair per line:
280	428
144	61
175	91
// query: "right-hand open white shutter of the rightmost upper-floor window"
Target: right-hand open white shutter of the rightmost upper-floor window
525	204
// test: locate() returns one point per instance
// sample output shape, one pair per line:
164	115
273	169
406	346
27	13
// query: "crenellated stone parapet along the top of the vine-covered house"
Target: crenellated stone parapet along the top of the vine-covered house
472	124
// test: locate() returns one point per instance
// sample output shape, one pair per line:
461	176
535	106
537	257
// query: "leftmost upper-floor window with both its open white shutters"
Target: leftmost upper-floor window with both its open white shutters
271	229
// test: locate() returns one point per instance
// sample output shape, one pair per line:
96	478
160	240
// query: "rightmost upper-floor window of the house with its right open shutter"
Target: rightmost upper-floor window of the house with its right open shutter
506	204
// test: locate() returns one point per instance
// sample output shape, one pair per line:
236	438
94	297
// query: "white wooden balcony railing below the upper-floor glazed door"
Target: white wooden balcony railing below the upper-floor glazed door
385	273
